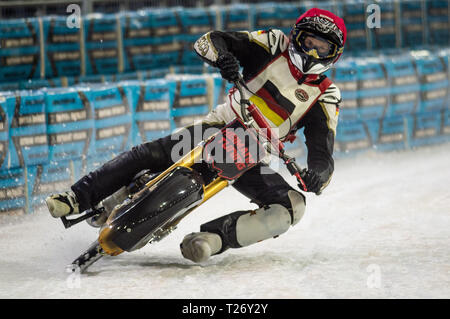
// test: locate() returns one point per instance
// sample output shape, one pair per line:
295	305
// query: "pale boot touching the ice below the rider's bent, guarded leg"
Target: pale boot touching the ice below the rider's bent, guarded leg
198	247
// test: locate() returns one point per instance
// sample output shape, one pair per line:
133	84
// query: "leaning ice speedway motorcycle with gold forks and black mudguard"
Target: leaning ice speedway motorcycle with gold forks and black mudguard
152	206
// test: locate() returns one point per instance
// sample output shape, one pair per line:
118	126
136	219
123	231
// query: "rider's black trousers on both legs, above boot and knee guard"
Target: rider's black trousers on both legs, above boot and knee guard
262	189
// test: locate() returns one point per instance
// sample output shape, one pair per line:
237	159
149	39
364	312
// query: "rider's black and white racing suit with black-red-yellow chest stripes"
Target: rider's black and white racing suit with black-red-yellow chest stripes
288	99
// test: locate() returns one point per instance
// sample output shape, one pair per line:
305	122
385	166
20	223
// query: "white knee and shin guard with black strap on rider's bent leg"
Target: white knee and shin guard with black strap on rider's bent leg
244	228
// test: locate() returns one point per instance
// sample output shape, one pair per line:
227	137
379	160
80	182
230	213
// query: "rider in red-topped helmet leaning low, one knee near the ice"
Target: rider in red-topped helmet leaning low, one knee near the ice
285	76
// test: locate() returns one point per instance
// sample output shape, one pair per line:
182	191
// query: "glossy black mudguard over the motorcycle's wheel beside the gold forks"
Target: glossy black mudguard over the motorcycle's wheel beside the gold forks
153	212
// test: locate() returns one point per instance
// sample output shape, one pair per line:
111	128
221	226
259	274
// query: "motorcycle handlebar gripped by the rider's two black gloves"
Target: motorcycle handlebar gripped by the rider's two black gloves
272	137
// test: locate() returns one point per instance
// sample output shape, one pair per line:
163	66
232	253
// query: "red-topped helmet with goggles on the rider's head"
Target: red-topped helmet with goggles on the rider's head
317	41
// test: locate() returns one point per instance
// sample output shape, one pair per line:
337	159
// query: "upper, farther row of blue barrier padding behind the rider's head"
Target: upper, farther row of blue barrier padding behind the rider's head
161	38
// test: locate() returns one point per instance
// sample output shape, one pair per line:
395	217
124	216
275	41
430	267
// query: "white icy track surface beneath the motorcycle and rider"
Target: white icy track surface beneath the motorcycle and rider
380	230
